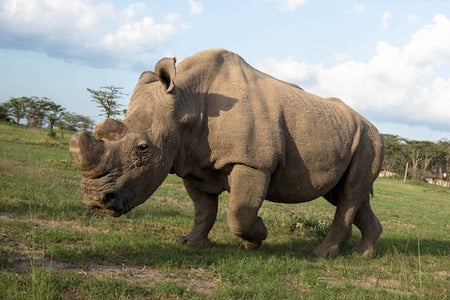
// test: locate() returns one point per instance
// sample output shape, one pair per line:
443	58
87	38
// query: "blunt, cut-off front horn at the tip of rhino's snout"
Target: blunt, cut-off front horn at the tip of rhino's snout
87	152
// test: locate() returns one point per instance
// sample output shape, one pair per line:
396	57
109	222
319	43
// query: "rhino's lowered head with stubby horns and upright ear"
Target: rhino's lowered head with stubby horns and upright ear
125	161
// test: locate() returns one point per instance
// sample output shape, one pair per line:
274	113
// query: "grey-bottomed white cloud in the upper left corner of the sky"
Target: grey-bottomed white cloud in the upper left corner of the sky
97	33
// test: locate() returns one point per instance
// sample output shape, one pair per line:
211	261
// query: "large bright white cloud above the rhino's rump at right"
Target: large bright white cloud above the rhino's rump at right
397	84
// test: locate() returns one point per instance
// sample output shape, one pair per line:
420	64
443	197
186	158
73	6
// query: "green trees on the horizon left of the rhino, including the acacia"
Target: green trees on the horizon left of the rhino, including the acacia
42	112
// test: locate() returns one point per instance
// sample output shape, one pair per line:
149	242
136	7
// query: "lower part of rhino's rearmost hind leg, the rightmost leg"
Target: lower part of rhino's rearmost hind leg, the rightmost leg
370	228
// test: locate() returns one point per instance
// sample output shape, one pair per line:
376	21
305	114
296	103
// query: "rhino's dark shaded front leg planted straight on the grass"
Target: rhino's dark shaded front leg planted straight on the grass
205	215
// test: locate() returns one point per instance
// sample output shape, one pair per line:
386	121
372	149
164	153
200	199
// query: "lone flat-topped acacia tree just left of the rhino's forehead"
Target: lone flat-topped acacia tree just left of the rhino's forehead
107	99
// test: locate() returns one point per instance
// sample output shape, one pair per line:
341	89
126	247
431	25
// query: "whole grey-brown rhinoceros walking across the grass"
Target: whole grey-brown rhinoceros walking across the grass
221	125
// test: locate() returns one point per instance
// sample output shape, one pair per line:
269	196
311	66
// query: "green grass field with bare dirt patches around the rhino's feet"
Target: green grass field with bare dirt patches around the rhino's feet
52	247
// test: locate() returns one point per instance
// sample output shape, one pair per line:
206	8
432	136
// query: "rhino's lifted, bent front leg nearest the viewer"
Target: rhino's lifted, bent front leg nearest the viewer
248	188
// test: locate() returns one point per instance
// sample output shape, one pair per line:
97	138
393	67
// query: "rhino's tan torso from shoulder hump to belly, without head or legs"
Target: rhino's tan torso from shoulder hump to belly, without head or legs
306	142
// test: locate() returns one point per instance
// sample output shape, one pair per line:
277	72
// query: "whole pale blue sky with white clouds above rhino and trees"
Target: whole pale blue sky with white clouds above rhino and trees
390	60
